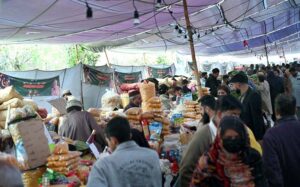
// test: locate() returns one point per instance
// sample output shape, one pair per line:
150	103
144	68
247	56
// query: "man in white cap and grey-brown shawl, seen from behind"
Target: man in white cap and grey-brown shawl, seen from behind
78	124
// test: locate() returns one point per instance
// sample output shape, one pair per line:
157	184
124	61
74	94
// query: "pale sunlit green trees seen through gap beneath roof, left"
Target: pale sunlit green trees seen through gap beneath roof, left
45	57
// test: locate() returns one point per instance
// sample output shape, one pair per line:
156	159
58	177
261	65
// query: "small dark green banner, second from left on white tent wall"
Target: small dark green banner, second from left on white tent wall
95	77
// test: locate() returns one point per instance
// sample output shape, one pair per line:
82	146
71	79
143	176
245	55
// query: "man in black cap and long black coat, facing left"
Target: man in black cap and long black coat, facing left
252	105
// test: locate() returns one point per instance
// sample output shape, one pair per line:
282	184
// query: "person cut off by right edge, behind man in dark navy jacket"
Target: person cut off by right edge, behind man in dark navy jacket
295	82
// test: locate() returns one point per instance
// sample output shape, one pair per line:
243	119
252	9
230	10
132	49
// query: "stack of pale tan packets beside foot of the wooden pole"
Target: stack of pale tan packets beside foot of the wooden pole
192	111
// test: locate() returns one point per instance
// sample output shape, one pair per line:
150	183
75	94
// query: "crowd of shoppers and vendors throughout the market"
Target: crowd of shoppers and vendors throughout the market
248	134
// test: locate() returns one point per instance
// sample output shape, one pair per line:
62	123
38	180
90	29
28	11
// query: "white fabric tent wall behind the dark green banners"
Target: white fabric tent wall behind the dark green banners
72	79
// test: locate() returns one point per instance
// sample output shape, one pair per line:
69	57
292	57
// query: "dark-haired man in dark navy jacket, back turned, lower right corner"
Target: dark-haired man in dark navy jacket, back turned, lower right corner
281	145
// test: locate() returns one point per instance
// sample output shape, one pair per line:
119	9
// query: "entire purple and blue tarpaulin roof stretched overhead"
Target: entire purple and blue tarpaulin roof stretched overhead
223	25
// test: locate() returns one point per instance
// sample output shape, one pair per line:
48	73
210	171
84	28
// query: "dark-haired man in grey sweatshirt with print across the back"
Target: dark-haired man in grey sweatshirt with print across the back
129	165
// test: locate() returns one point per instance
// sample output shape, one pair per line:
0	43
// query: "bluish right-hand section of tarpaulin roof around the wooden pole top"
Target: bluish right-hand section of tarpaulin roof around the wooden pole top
224	28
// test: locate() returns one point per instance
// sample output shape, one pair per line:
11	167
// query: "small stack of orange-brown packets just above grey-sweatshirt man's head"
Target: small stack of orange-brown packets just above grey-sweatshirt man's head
134	116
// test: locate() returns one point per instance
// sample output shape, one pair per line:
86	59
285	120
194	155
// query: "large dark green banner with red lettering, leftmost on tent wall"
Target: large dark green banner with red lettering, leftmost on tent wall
32	87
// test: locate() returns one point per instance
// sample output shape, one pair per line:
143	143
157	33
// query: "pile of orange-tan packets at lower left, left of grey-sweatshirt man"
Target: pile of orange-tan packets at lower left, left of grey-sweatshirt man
62	160
